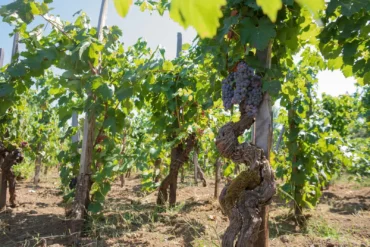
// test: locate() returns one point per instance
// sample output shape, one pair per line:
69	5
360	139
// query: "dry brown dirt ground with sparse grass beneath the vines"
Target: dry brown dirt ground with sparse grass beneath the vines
131	219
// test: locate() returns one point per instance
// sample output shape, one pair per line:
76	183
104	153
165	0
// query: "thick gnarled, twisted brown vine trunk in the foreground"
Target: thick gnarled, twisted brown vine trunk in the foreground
244	199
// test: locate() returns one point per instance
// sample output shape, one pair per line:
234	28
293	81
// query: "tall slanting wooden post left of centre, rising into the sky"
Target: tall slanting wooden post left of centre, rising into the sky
84	180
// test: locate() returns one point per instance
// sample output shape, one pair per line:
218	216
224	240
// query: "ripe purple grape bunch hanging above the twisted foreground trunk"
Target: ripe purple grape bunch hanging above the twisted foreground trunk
242	87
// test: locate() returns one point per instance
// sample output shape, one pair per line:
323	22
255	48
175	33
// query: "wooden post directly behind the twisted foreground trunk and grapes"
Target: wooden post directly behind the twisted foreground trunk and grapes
263	139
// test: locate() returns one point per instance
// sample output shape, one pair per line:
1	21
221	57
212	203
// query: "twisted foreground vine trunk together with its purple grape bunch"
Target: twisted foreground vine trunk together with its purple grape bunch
255	187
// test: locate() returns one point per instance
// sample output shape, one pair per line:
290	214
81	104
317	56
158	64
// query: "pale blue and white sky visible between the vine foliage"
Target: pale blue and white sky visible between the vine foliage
156	30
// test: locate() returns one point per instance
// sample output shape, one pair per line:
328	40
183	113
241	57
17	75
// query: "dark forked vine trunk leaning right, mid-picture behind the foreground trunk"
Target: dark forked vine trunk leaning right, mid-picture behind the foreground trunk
179	155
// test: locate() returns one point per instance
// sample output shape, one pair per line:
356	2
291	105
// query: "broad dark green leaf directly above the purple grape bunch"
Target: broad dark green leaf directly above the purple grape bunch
257	35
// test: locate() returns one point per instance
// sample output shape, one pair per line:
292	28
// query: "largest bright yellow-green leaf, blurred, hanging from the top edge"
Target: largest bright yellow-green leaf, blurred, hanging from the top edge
203	15
